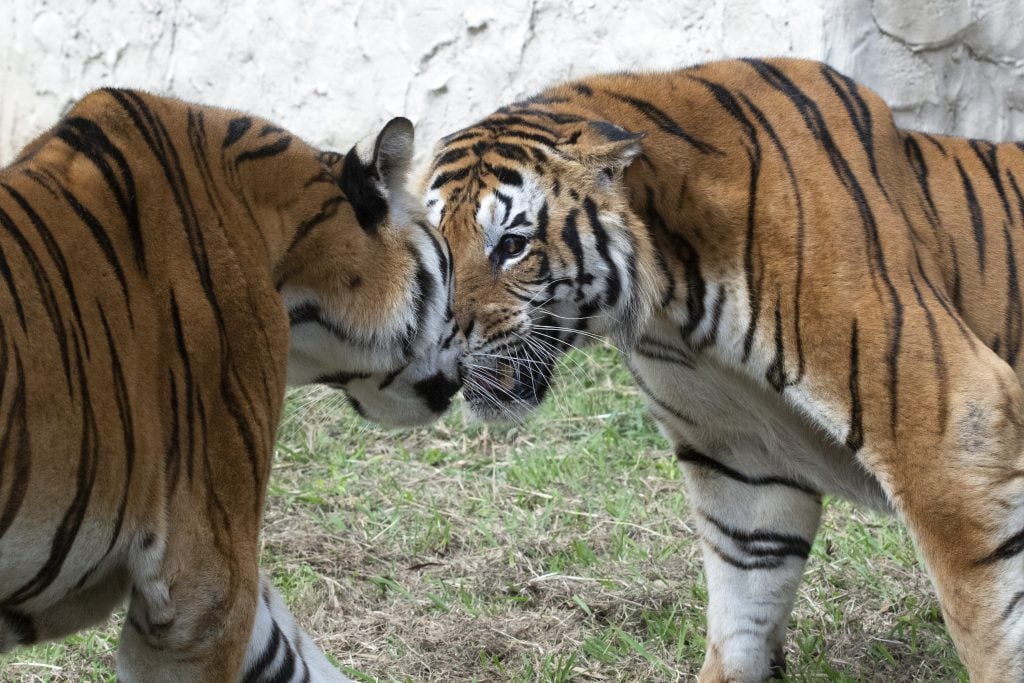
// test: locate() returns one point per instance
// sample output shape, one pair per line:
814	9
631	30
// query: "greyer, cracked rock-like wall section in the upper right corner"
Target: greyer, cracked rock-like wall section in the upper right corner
945	66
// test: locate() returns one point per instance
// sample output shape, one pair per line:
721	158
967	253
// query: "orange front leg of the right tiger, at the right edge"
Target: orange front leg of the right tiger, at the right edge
962	496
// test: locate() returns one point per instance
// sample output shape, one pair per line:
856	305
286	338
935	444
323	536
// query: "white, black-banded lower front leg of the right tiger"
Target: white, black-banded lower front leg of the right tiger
756	531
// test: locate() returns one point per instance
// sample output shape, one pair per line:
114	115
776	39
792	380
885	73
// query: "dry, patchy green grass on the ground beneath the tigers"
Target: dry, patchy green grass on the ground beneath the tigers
553	551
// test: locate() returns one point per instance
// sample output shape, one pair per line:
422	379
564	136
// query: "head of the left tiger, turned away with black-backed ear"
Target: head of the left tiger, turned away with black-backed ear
368	288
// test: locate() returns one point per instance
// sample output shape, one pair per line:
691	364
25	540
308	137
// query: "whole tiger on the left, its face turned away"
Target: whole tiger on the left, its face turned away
168	270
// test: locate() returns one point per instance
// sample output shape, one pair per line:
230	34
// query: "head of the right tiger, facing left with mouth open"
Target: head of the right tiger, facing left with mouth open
548	254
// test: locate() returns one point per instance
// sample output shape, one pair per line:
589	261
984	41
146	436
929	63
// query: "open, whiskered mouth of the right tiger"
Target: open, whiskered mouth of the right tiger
510	386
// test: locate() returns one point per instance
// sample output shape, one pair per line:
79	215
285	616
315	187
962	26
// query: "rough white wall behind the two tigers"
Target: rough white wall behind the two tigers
334	70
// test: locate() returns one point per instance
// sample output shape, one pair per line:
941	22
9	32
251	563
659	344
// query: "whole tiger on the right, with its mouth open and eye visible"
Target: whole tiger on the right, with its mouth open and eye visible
812	300
